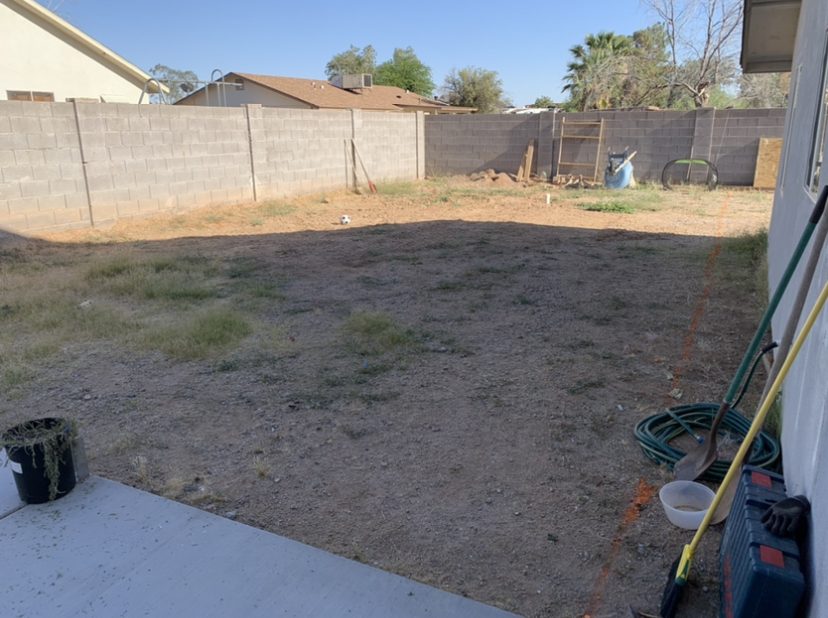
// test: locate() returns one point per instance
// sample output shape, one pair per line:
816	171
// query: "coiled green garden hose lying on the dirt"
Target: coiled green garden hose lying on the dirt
655	433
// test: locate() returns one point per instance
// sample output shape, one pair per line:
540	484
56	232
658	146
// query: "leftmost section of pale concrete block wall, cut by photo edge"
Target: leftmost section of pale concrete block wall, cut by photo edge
41	174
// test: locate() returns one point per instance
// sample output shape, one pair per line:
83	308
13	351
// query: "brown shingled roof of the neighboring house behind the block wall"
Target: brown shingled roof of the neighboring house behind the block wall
322	94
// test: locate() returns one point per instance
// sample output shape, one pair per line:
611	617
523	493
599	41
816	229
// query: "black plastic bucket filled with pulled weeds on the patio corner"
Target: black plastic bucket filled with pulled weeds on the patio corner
29	462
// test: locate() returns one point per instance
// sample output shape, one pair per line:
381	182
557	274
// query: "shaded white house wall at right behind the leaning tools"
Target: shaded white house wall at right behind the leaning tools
805	393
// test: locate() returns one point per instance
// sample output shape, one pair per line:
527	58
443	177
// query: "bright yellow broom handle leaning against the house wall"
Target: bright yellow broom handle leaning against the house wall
755	427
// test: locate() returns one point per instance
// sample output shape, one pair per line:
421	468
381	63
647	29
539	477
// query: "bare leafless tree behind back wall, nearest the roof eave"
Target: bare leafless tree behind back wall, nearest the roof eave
701	40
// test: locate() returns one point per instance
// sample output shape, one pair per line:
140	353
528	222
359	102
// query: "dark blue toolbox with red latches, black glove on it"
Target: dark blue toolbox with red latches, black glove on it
760	572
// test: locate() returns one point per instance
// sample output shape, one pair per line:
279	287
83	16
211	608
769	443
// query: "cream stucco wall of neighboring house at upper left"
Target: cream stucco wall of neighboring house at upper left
36	57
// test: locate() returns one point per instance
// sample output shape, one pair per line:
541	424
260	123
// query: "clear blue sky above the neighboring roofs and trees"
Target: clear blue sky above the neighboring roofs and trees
526	43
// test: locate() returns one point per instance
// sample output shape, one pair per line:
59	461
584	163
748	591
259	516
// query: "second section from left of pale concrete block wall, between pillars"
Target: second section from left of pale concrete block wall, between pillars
142	159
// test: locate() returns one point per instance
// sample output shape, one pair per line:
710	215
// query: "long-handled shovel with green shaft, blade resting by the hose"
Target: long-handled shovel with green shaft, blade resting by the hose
702	456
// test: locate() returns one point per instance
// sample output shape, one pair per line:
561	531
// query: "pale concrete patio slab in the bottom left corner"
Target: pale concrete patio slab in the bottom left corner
111	550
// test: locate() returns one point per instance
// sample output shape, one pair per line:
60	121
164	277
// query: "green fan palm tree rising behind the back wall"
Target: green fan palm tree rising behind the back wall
595	75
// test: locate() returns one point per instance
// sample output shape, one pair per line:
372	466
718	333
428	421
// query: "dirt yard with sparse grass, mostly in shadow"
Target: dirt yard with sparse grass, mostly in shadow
445	388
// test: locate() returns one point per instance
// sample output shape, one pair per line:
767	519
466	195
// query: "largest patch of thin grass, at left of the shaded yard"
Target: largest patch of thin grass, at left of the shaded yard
131	299
